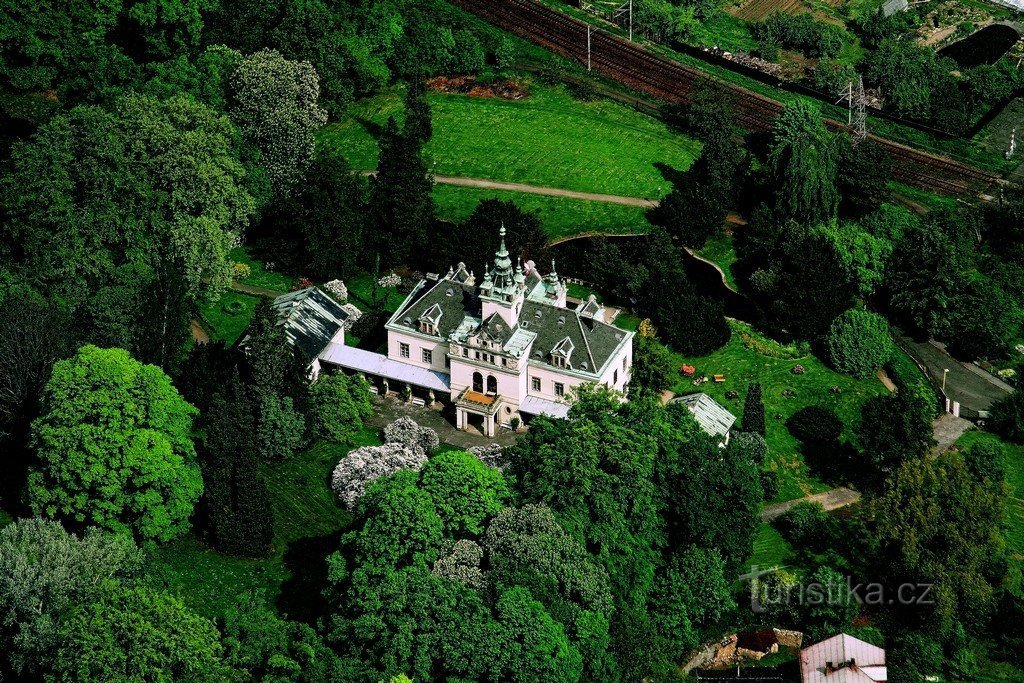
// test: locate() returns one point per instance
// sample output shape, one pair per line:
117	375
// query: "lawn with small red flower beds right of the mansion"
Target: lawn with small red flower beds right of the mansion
743	366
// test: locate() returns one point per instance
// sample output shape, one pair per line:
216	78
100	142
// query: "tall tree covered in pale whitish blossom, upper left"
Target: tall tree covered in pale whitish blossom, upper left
275	106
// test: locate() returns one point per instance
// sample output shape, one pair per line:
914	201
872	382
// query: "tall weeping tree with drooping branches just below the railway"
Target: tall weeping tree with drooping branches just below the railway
803	166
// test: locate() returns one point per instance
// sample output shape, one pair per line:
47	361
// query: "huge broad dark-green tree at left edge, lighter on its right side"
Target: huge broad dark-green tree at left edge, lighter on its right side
130	268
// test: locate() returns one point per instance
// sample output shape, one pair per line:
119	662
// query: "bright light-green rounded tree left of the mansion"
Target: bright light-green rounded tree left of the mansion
114	448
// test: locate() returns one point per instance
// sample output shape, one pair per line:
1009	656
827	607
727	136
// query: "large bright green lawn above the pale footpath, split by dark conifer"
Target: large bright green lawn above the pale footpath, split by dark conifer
547	140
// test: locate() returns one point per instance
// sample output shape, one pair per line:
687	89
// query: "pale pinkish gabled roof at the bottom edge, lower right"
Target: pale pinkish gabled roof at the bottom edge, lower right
843	659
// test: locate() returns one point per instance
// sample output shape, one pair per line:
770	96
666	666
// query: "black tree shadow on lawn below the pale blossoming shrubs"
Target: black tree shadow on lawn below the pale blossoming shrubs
302	596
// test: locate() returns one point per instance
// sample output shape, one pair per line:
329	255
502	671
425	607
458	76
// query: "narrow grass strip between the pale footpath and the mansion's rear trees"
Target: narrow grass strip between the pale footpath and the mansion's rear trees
560	217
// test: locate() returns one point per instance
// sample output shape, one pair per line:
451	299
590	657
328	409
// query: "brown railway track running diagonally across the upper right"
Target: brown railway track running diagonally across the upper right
631	65
